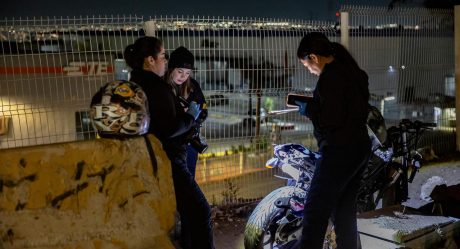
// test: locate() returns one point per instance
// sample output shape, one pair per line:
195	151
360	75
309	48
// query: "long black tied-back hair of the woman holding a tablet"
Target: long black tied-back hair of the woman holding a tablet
317	43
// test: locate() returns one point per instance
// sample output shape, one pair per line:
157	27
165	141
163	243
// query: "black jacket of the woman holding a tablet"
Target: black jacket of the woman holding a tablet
339	106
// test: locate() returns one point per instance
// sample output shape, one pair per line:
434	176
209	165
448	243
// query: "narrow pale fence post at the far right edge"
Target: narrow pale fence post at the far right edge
457	72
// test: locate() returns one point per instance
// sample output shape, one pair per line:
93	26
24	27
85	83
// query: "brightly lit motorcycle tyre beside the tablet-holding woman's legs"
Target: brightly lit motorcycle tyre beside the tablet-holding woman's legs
261	218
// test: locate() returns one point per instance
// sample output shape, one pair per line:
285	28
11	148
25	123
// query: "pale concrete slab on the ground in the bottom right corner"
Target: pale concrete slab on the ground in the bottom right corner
392	228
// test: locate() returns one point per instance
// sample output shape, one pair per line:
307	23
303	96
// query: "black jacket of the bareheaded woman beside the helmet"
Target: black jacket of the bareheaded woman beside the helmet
168	121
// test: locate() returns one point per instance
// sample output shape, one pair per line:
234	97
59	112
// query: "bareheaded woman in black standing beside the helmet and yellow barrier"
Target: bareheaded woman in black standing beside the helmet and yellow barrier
170	123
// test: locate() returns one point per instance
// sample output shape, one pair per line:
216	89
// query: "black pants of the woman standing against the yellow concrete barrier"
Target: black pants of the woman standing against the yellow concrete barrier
191	203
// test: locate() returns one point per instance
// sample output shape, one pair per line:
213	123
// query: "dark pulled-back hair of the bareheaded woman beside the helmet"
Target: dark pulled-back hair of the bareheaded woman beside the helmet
142	48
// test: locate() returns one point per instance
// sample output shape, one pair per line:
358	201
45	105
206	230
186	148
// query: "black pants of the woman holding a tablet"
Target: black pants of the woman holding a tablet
333	194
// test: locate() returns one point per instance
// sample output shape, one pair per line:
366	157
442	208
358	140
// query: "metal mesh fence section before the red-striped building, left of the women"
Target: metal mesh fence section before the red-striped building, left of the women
50	68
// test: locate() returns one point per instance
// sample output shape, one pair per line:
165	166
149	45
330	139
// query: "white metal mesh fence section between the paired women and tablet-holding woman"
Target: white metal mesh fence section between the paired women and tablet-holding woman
245	67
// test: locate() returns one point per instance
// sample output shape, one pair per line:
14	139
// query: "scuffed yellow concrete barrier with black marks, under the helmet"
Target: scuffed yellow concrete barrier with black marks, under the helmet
54	196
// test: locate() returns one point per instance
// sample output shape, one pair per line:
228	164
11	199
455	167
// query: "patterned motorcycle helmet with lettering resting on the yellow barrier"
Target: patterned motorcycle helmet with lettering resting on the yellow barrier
120	109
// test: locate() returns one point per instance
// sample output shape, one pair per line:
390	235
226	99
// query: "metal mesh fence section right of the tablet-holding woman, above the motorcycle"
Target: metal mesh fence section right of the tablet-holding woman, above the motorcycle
409	56
